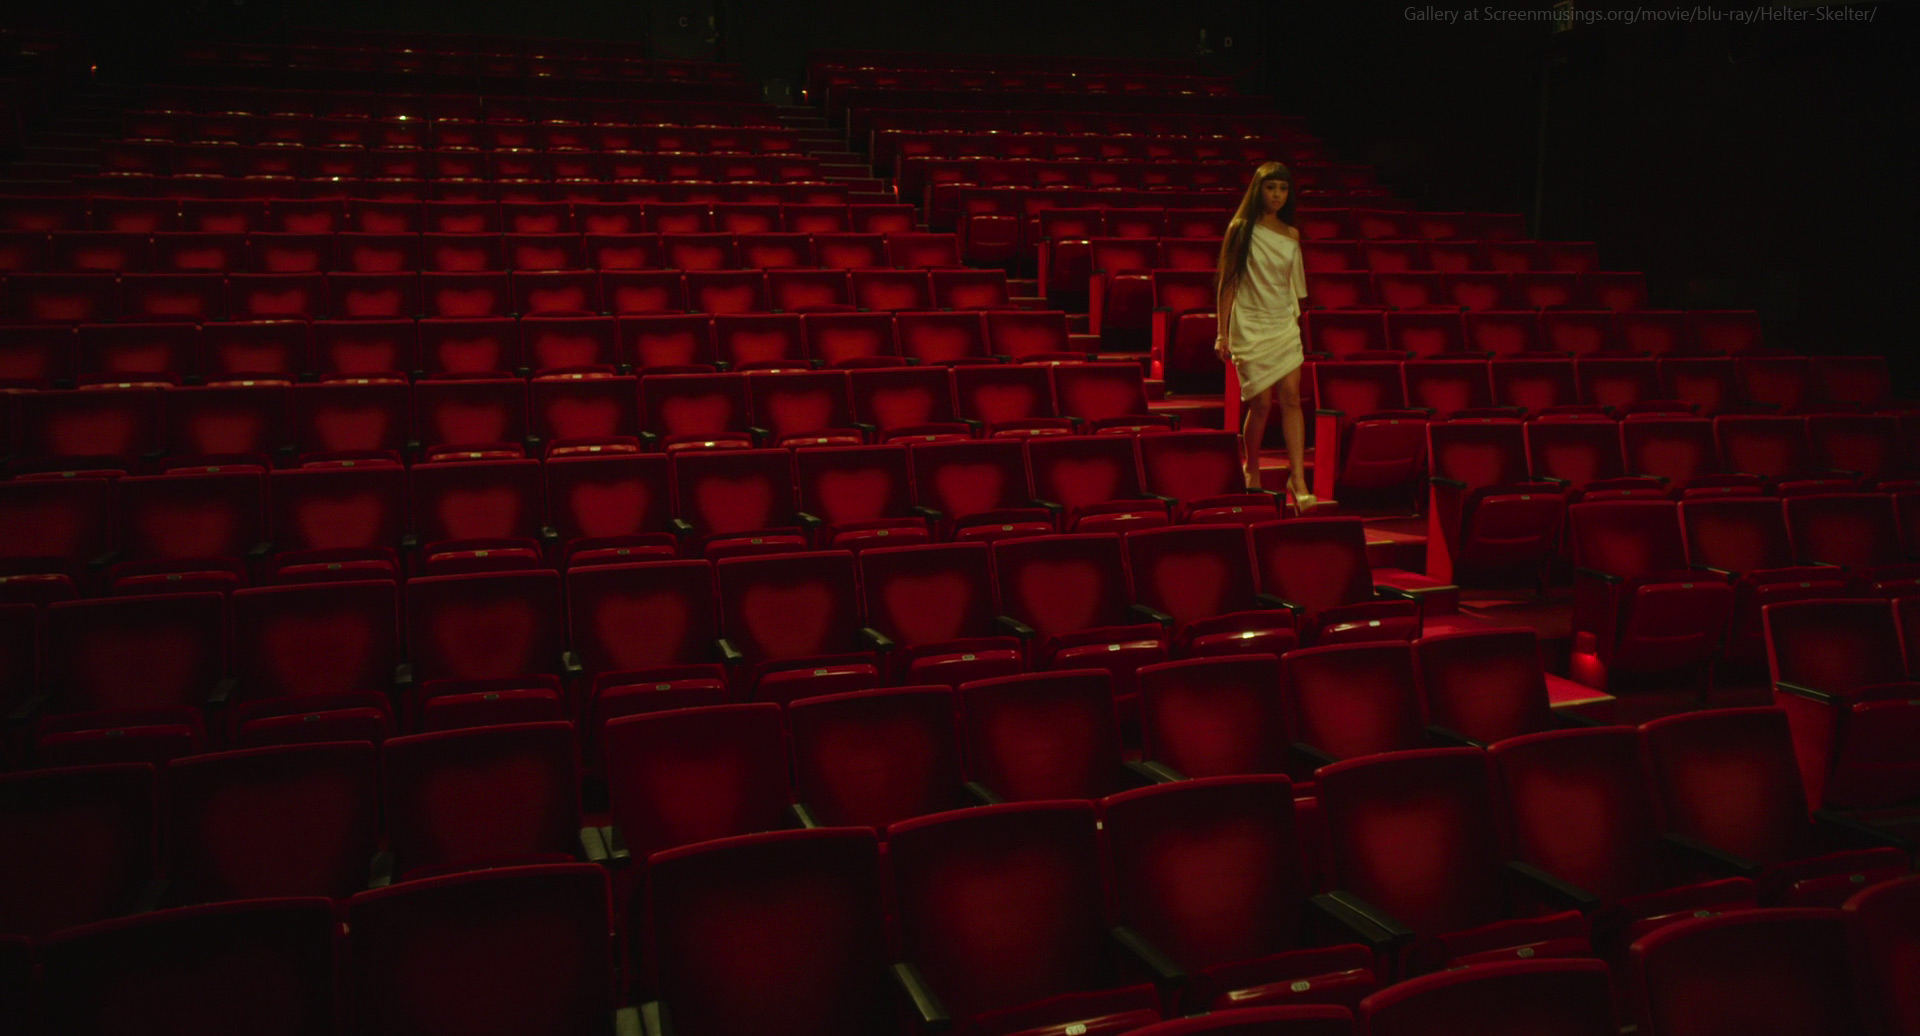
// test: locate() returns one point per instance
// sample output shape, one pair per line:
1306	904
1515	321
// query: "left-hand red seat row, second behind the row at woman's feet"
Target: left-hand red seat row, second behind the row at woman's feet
47	356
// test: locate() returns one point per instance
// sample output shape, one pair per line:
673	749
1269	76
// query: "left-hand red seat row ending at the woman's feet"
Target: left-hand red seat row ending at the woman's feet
224	525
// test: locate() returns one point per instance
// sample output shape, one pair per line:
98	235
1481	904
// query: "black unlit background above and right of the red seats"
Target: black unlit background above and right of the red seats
1740	166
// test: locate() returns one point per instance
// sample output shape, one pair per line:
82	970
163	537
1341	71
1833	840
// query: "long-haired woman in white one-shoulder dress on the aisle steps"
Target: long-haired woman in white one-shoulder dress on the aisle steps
1260	291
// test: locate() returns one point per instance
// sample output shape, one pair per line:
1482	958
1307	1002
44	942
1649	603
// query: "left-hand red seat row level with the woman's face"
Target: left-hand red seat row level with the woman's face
329	216
